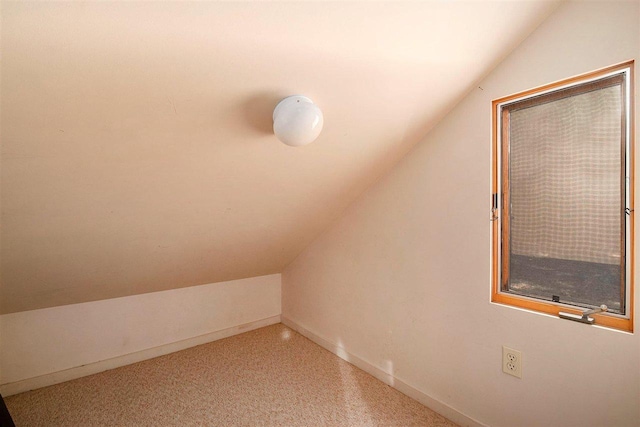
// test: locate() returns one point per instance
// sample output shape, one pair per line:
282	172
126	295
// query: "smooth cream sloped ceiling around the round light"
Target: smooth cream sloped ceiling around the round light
137	152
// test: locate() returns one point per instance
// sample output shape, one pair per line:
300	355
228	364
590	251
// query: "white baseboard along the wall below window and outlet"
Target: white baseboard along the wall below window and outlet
387	378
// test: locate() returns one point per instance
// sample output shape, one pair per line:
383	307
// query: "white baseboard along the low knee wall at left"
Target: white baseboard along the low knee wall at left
127	359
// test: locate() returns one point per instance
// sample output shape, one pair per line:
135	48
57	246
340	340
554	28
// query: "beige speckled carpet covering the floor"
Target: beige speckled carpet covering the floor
268	377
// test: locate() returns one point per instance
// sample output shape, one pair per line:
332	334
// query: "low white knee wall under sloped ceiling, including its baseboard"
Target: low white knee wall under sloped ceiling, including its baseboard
45	346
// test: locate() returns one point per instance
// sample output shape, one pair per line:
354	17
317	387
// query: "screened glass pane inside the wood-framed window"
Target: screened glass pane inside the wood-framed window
566	199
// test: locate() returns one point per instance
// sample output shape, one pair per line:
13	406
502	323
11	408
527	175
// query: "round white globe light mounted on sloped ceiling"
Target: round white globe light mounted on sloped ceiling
297	120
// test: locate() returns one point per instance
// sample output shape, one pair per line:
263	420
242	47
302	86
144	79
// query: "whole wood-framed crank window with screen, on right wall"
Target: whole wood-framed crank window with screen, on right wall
562	203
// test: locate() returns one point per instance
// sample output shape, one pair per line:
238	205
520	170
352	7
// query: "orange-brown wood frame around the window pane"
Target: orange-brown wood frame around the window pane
500	199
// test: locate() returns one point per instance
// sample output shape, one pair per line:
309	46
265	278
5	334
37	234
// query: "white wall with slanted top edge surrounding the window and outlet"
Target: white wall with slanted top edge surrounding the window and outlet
402	280
